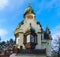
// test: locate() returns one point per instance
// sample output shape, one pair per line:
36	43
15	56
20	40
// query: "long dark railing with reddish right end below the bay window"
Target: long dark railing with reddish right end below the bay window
36	51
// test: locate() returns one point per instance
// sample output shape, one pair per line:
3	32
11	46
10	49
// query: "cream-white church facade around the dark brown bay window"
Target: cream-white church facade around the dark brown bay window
30	21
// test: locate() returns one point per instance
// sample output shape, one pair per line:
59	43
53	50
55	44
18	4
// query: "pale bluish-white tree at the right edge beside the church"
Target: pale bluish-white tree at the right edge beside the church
56	46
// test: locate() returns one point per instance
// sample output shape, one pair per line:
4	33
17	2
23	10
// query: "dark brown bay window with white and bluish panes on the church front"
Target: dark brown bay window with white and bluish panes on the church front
30	40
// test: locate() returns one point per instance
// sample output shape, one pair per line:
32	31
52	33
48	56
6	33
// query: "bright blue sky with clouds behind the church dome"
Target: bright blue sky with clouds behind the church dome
11	13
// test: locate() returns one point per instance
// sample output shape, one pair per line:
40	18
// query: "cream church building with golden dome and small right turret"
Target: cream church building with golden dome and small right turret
30	37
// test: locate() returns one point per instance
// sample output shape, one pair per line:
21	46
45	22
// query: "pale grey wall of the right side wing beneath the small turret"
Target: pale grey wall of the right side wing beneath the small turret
46	44
